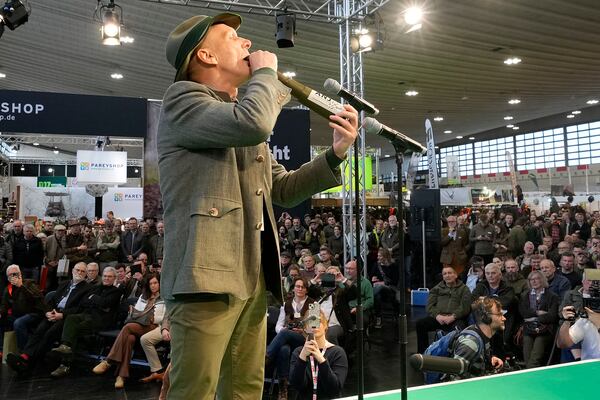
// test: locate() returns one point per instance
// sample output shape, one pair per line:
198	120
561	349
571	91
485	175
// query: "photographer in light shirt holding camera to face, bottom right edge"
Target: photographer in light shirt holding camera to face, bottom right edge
583	330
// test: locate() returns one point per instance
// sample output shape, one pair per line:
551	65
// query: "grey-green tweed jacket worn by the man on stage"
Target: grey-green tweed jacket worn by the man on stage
218	181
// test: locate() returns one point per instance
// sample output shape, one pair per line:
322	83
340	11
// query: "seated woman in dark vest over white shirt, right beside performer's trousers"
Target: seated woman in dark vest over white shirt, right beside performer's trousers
289	330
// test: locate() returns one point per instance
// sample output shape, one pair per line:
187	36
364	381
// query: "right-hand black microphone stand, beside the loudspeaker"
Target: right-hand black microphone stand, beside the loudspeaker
402	325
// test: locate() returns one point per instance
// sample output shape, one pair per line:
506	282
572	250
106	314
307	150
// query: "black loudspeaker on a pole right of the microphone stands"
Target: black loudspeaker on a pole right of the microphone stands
425	205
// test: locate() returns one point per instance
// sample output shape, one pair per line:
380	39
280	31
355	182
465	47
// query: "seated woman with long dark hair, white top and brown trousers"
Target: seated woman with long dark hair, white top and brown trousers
143	318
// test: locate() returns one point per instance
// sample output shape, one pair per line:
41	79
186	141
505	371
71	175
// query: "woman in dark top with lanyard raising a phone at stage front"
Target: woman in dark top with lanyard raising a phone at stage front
322	359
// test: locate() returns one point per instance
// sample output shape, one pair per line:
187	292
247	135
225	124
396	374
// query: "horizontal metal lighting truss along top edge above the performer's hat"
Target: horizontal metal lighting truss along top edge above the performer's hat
325	11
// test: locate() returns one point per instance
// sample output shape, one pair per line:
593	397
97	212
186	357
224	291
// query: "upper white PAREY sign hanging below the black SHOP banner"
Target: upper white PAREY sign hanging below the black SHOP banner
108	167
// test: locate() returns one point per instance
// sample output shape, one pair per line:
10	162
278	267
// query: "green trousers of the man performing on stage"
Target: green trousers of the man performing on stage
218	346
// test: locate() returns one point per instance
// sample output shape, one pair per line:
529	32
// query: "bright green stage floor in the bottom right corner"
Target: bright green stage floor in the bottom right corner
568	381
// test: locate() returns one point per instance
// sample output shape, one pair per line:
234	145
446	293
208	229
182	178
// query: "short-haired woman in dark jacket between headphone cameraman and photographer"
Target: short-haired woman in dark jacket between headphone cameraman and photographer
539	308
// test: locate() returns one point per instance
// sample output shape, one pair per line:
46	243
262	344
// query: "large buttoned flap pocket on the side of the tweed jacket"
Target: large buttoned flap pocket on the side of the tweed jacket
215	236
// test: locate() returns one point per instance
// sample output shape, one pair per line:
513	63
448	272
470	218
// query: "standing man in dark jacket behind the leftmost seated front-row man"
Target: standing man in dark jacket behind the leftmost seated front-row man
28	253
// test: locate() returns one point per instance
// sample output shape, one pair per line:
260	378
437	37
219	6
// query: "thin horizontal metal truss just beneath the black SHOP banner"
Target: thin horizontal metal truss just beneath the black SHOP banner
67	140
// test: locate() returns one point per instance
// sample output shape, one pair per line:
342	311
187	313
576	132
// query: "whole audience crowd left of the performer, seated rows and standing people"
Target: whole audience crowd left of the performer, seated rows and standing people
111	269
